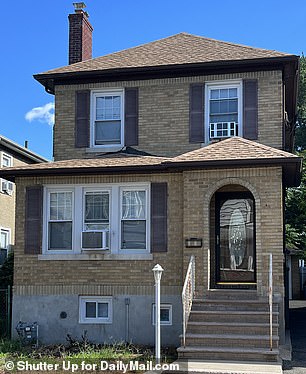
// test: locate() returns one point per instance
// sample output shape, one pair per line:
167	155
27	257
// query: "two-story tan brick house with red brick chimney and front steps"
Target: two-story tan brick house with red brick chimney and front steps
174	150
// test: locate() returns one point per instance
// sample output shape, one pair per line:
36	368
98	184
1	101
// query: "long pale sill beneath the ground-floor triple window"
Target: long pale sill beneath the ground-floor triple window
95	257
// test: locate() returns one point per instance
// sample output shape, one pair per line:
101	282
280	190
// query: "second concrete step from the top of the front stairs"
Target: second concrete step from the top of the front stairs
231	304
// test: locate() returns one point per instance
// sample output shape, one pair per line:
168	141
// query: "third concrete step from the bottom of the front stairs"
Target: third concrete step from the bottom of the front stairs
241	328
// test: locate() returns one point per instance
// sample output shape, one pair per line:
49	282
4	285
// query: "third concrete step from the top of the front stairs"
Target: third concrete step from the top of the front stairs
231	316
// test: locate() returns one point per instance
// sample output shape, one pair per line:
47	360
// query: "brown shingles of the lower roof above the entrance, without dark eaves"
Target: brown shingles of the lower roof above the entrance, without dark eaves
232	150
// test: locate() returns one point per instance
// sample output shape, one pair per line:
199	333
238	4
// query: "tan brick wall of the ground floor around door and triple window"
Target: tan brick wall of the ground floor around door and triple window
189	198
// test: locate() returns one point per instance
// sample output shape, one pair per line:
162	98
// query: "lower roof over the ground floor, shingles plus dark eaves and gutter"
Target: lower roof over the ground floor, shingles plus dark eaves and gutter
232	152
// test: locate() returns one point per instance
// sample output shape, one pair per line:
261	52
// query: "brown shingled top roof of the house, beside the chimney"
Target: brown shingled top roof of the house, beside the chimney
179	49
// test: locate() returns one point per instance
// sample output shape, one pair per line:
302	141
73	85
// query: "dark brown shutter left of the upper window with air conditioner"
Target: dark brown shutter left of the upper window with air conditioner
196	113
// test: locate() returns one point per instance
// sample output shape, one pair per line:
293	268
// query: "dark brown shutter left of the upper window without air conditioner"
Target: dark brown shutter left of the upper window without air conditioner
82	118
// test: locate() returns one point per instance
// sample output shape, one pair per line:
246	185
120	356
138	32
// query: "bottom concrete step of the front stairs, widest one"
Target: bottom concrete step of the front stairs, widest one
229	354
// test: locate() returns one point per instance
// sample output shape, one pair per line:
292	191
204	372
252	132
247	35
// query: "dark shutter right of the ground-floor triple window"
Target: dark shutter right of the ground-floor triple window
159	234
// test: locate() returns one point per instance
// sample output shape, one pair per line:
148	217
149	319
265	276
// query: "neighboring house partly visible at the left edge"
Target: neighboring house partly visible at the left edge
11	155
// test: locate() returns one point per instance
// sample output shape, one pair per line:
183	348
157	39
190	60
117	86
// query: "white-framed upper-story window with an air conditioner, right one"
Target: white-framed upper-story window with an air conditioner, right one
223	110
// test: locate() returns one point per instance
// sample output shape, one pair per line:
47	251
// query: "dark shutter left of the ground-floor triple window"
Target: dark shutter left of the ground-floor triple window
33	219
